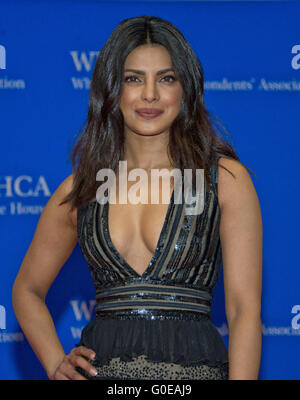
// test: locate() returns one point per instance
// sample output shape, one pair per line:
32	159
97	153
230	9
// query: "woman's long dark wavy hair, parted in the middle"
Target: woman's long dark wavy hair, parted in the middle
194	139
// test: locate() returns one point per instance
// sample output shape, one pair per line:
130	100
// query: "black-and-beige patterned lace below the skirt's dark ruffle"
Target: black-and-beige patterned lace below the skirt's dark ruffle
142	369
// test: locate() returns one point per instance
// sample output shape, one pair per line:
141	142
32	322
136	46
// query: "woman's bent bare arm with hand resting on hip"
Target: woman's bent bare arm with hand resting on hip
53	242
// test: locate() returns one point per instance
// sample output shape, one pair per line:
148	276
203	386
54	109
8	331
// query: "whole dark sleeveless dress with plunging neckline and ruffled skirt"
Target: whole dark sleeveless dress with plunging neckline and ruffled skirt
156	325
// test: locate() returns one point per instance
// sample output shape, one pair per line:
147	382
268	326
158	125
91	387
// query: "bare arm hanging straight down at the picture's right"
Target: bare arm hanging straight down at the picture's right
241	240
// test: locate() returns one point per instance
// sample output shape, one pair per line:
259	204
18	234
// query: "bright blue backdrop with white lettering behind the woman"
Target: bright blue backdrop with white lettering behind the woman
250	52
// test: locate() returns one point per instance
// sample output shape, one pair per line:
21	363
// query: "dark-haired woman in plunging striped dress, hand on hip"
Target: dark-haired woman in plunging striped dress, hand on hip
154	266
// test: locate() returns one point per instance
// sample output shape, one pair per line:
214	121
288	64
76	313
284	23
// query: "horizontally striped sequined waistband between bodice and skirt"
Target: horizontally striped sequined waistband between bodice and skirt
144	296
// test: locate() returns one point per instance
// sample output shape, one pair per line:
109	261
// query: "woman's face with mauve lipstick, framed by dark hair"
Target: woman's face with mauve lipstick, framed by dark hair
150	87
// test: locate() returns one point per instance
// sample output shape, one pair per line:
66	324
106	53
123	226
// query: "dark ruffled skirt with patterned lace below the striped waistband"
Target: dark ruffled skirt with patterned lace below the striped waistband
166	349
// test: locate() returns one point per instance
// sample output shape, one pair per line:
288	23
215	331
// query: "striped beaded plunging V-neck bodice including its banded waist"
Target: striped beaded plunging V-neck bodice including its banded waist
187	259
